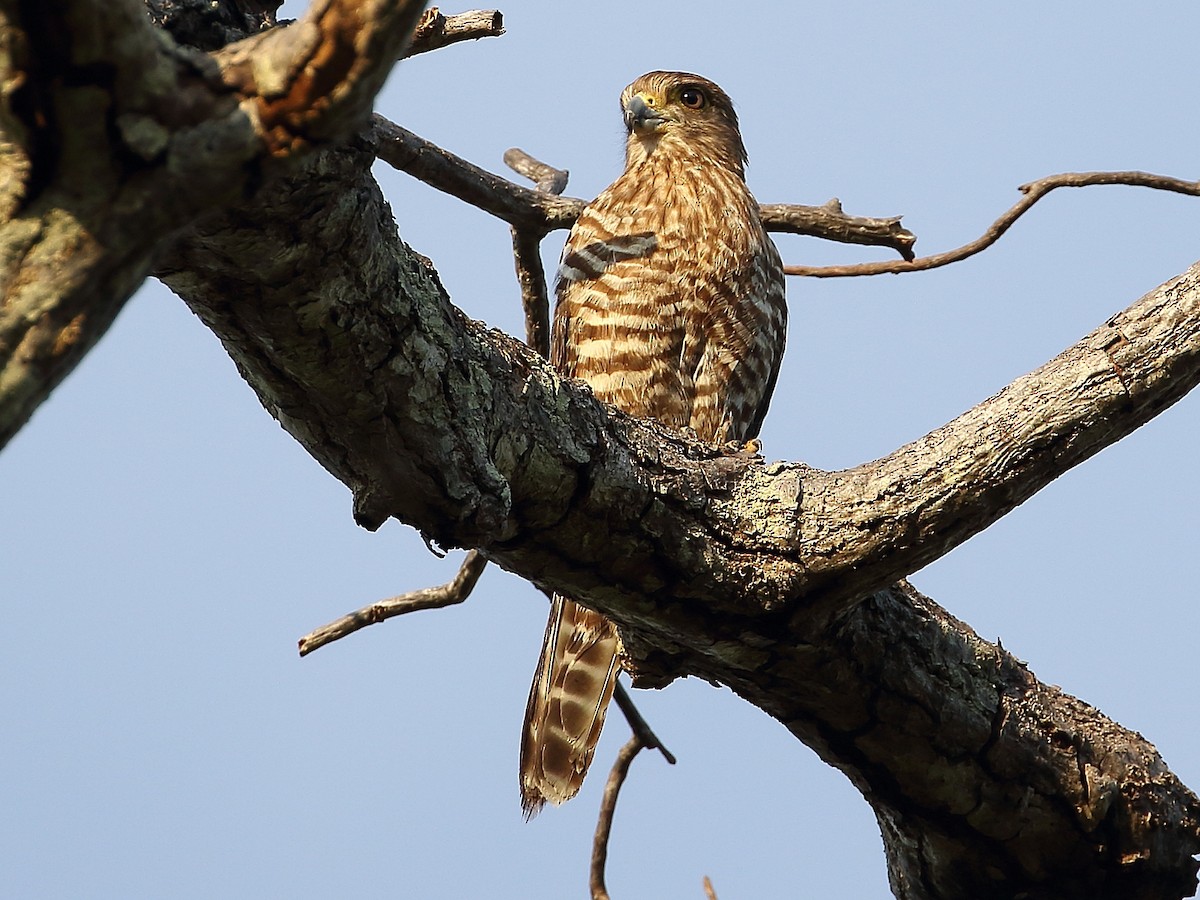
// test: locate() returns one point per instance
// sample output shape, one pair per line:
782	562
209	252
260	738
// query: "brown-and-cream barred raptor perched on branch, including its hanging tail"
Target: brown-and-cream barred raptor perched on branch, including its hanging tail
671	308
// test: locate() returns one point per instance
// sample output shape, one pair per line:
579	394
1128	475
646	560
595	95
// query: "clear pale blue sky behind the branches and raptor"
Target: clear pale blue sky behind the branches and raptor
165	543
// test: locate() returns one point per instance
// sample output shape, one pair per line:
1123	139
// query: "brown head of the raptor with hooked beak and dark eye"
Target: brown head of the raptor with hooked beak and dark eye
669	107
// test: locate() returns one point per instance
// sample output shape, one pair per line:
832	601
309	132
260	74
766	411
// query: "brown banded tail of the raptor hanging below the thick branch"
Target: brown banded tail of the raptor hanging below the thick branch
568	701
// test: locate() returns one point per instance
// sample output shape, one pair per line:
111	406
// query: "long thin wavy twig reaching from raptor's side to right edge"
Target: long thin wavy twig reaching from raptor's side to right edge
1034	193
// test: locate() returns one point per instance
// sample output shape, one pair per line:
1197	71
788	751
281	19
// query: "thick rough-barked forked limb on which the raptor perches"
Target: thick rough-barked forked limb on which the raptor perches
772	579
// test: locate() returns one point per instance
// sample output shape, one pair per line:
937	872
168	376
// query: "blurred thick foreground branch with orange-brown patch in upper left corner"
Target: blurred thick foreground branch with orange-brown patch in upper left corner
85	205
